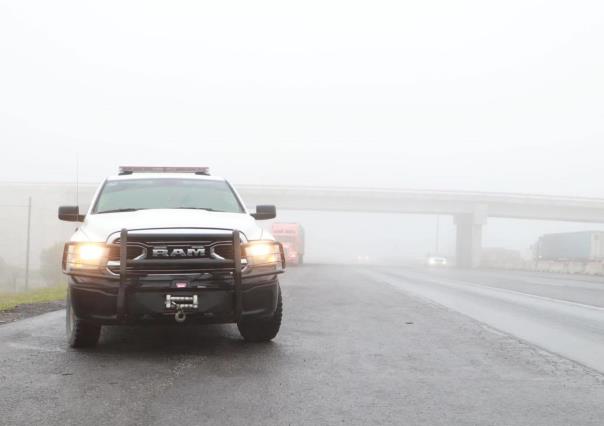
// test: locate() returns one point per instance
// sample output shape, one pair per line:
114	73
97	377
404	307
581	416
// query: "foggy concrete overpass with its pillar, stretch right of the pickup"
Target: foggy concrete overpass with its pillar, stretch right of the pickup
470	209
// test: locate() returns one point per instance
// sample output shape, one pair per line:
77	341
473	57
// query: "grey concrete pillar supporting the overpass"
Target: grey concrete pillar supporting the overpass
469	237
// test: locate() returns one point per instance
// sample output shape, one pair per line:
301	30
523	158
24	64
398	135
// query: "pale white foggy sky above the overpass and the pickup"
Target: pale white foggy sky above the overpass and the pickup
474	95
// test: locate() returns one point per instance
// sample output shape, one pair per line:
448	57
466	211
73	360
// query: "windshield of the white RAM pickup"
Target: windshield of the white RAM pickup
138	194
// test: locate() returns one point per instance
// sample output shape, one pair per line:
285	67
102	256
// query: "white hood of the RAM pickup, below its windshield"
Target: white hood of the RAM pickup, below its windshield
98	227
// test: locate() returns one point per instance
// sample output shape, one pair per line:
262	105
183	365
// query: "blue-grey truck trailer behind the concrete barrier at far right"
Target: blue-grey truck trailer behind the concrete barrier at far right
575	246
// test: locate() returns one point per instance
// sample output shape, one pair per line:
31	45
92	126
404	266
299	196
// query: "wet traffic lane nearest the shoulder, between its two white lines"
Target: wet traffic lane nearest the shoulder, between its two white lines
574	332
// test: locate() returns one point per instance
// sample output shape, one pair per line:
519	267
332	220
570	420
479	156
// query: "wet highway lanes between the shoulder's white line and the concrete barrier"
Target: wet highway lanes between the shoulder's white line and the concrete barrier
563	314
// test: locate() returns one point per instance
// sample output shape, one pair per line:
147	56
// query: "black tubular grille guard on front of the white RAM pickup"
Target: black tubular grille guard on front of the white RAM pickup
234	266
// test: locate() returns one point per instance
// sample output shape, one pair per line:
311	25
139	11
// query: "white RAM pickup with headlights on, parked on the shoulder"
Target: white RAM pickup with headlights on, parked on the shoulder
171	245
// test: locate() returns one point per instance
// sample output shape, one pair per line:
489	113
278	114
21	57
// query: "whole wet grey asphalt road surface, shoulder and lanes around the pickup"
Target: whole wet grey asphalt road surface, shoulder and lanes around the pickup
359	345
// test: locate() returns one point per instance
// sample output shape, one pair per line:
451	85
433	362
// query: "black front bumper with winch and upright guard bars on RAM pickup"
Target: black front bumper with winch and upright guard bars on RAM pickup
221	295
